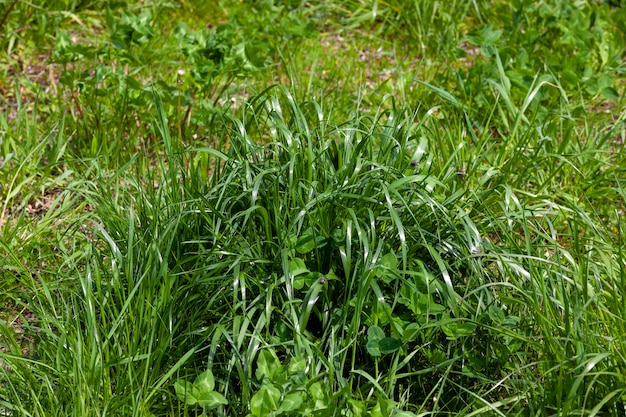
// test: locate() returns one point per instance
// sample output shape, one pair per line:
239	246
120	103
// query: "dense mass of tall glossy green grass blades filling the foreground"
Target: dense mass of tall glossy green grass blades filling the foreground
400	263
